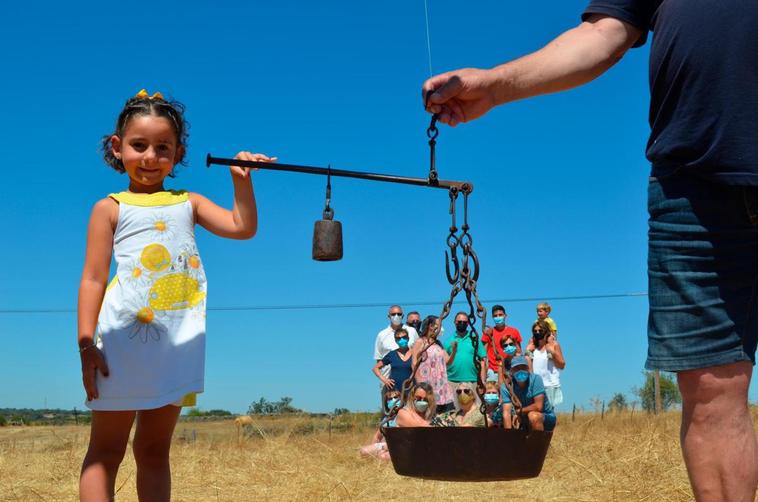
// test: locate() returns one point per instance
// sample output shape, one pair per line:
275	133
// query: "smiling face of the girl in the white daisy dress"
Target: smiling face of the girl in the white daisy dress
149	151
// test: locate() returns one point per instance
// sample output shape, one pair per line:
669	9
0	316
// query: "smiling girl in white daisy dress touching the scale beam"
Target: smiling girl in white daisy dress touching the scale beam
142	339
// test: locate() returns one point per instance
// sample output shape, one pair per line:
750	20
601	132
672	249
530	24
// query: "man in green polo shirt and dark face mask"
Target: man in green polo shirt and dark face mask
462	369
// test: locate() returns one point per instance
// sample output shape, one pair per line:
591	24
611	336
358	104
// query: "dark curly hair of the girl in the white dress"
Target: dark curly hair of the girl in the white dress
136	106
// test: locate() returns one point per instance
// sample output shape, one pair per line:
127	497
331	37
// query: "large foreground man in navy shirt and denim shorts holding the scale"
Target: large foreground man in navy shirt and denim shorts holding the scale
703	195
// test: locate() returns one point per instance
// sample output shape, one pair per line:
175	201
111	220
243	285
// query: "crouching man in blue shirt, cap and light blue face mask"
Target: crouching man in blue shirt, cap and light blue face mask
536	408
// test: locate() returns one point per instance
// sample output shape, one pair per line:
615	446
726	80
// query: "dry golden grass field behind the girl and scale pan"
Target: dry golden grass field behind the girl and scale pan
621	457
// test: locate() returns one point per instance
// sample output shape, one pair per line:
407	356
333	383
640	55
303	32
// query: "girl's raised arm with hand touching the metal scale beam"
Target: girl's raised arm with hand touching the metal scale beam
242	221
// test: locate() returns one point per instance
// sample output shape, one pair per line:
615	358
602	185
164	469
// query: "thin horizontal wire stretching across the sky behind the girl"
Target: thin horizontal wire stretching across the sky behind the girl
241	308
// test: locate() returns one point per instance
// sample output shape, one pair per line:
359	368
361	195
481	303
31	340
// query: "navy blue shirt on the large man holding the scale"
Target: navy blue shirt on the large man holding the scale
703	84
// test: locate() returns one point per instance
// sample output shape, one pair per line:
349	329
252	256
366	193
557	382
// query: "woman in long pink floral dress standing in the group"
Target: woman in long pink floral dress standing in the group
432	362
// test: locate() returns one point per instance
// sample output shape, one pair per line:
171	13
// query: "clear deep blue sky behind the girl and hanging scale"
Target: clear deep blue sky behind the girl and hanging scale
558	209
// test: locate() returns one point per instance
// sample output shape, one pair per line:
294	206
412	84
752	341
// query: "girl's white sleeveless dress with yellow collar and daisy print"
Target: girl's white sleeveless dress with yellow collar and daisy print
151	327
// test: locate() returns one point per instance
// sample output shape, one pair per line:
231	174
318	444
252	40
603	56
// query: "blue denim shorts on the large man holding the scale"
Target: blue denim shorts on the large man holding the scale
702	273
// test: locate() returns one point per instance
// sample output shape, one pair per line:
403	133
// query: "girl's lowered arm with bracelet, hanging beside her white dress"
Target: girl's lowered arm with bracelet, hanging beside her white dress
92	289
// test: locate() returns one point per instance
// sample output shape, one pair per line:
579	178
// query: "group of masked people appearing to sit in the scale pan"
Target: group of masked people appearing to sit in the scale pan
428	379
